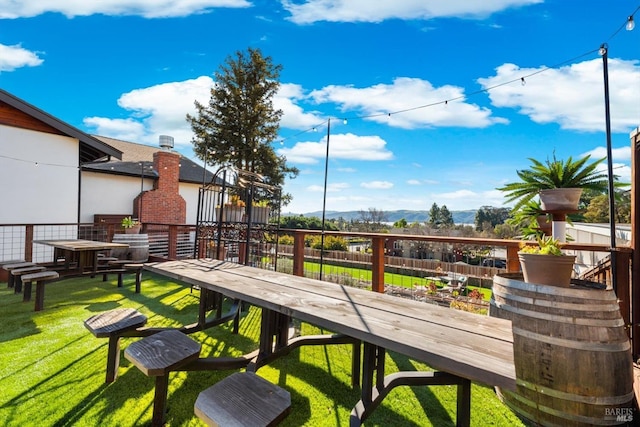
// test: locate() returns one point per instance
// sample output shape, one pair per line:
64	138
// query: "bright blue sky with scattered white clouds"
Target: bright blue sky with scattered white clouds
433	91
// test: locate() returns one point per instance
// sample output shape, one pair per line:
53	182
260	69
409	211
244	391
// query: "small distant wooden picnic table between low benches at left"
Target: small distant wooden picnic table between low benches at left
82	253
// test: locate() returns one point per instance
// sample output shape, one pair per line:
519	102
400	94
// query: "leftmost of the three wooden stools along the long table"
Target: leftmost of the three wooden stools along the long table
112	324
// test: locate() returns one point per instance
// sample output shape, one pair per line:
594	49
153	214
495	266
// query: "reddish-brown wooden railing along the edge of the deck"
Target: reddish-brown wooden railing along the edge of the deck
177	241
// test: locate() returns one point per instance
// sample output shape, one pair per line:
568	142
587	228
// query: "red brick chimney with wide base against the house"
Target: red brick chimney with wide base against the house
163	204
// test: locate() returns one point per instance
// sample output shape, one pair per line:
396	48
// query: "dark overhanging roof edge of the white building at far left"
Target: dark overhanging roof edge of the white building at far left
91	149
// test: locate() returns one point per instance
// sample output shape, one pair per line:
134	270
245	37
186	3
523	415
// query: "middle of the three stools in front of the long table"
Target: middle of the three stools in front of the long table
156	356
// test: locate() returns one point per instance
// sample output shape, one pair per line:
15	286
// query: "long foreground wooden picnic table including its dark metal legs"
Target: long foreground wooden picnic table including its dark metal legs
462	347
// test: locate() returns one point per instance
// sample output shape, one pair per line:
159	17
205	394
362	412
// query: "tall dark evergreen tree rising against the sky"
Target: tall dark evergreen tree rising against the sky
239	123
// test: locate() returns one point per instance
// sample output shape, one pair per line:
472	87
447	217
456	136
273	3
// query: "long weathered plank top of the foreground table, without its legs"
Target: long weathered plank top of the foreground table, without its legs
479	348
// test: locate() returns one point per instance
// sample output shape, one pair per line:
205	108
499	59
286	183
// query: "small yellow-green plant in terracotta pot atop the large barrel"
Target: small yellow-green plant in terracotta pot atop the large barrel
545	263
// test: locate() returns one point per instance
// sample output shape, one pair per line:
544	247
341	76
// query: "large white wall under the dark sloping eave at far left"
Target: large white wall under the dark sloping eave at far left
42	193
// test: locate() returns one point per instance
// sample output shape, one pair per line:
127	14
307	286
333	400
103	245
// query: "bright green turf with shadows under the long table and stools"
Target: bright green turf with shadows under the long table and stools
52	369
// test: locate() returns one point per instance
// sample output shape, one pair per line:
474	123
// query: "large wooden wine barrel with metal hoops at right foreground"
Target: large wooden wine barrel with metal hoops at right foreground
572	355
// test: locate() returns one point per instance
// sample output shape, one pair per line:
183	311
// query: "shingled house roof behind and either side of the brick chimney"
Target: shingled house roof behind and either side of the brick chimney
137	160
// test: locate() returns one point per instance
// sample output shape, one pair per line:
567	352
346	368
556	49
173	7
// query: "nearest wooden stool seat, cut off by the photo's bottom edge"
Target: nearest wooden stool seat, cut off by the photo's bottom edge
243	399
